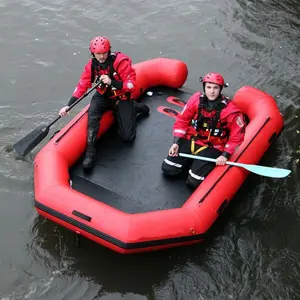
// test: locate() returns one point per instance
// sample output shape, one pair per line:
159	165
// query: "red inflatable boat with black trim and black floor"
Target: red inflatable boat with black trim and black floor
126	204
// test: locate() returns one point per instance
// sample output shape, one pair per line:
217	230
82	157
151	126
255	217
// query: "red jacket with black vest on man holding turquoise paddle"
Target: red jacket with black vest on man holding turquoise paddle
222	127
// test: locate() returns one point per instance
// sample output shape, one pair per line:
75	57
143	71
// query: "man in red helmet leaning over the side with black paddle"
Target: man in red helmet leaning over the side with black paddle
118	79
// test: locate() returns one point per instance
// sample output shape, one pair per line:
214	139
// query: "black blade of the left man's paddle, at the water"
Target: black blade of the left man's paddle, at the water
28	142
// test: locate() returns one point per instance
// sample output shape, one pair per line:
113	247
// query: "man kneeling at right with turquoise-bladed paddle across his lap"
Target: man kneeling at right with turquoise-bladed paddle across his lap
217	132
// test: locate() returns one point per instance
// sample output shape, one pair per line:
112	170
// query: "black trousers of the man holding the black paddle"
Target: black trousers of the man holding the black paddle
126	112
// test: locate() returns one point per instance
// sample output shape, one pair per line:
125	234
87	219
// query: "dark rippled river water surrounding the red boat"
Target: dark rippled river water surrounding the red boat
254	248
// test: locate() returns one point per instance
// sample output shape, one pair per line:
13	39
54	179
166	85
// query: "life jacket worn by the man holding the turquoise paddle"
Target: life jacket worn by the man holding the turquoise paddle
208	125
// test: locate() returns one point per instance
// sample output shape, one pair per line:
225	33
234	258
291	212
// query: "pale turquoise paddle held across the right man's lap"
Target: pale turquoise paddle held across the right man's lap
260	170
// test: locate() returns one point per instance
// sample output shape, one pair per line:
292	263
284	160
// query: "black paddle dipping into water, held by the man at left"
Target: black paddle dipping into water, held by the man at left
27	143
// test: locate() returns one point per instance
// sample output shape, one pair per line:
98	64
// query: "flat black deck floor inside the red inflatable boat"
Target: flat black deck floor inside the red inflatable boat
128	176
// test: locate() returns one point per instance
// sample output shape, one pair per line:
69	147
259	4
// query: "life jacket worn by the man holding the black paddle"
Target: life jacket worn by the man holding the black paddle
107	68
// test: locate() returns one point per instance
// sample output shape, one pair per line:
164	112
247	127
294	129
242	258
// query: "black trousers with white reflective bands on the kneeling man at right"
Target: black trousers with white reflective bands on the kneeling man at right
198	169
